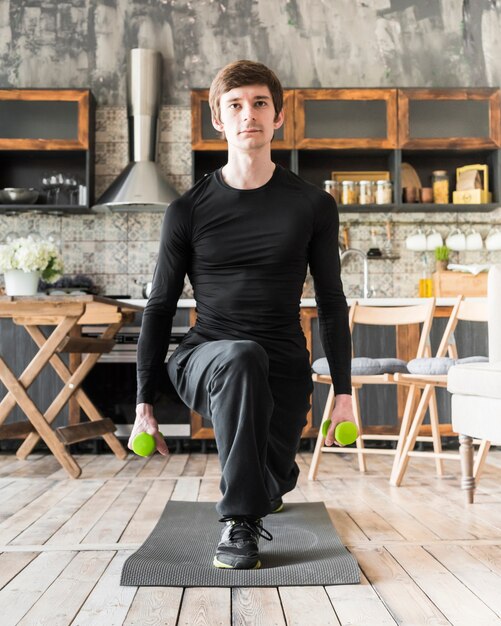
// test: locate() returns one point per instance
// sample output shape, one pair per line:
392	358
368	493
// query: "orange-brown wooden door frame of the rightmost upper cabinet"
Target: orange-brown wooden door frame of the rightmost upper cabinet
449	143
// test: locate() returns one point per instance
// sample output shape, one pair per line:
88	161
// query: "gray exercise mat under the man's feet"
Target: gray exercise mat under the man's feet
305	550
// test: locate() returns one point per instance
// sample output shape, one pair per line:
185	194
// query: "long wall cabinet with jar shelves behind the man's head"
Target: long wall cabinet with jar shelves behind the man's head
368	130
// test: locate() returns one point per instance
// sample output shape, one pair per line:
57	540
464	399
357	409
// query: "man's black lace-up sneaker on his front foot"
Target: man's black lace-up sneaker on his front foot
238	548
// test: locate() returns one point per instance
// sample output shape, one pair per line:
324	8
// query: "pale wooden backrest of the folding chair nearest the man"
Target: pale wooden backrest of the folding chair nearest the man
397	316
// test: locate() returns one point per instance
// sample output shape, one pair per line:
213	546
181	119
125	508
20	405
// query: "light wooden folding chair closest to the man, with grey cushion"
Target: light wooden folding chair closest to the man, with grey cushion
401	316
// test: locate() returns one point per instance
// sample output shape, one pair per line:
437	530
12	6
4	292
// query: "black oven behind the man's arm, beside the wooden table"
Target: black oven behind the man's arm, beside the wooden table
111	385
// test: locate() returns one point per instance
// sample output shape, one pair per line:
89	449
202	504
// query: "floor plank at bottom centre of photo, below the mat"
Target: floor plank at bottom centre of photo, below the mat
256	606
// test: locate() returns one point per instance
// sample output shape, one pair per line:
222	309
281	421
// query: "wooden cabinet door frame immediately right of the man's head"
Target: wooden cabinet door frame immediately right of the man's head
387	95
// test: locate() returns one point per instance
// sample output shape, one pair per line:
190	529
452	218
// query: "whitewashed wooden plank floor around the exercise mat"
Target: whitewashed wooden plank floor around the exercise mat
425	557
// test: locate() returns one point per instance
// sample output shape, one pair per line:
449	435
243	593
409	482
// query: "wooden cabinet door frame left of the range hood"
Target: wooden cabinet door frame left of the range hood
80	96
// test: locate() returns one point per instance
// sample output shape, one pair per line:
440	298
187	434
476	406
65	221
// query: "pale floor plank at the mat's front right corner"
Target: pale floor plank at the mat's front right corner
359	604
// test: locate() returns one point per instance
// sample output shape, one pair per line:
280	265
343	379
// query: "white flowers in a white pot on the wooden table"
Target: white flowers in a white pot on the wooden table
25	260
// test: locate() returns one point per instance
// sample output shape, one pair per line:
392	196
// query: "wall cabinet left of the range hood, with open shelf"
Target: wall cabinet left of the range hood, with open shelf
44	133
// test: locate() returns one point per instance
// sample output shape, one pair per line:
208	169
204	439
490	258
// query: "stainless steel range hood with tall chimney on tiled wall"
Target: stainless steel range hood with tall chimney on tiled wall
141	186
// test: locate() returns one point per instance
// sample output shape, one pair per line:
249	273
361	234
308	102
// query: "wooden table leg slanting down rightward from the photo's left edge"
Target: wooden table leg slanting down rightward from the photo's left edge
38	421
